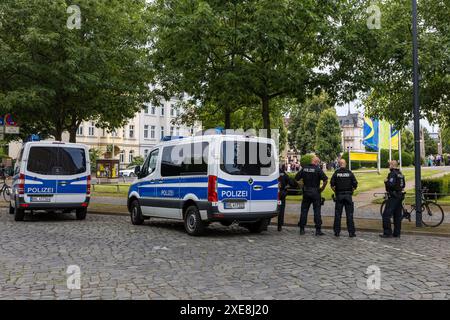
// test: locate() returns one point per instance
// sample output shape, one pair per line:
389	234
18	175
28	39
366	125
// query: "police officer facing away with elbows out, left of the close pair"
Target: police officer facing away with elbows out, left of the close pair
309	178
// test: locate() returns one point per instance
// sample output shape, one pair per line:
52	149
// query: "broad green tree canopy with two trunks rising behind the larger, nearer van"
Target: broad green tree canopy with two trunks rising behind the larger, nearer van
230	54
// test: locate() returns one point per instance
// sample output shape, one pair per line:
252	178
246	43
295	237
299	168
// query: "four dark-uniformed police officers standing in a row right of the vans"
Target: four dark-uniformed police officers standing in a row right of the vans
313	181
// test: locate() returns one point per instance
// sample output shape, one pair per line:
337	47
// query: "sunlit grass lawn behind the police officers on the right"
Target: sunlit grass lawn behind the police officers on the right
368	181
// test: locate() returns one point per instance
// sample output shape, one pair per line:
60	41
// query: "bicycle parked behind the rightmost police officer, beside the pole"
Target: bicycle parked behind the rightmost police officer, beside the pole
432	213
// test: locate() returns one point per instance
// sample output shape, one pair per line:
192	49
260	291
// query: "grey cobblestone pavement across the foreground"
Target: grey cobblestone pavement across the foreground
159	261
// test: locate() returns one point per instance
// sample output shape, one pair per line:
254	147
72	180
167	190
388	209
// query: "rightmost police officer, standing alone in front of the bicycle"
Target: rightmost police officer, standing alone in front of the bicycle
395	184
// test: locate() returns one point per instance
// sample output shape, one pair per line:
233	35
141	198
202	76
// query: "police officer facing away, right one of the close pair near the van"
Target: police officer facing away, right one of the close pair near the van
343	183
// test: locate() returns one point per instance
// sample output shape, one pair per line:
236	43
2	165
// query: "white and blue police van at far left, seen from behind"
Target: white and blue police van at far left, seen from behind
51	176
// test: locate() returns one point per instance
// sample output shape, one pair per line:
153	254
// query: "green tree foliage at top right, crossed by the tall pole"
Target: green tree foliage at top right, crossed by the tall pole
378	61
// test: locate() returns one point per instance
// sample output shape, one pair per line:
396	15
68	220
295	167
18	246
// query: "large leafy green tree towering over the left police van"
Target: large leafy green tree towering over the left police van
53	77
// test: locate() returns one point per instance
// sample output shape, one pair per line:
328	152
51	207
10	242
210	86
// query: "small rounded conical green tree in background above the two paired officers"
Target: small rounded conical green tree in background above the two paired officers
328	136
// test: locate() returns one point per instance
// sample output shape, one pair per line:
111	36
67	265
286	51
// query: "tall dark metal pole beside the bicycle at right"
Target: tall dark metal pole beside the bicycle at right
417	159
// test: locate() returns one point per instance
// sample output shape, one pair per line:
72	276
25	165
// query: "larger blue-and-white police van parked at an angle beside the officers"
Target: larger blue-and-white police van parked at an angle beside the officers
208	178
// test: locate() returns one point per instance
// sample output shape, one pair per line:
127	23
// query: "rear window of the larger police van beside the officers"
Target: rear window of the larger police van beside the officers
247	158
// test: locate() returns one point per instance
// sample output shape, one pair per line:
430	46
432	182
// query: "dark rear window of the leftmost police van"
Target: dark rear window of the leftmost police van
56	160
